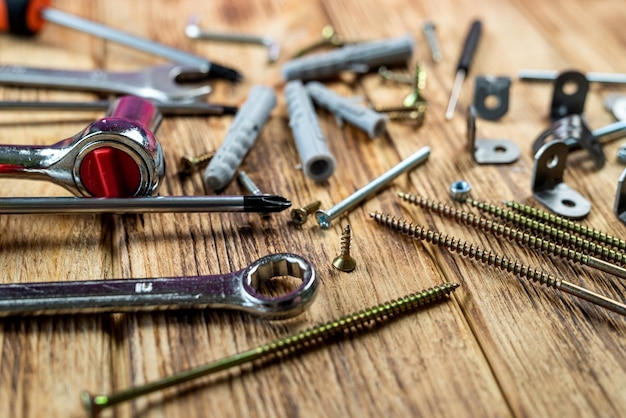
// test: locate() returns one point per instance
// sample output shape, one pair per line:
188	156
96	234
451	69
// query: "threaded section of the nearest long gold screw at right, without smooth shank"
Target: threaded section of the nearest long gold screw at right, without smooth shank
471	251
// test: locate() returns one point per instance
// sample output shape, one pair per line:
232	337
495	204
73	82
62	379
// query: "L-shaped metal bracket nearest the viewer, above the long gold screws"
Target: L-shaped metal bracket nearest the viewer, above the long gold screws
548	186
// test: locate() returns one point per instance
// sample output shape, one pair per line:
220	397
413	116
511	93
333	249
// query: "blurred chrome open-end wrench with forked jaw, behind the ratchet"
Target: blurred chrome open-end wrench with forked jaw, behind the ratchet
158	83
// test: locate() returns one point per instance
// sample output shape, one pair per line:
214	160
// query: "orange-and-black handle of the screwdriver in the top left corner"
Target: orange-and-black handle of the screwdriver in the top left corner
22	17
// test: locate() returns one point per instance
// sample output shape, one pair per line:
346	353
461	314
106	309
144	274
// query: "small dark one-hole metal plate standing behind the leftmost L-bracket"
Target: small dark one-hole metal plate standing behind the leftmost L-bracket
491	96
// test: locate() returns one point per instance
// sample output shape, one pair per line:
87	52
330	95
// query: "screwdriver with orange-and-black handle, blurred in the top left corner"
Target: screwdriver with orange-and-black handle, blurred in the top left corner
27	17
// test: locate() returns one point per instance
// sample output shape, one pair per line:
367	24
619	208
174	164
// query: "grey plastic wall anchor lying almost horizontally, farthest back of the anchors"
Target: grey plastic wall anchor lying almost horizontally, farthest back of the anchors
361	57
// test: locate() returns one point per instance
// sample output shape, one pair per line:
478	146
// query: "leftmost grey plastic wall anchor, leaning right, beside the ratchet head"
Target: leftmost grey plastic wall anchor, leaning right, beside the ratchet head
240	137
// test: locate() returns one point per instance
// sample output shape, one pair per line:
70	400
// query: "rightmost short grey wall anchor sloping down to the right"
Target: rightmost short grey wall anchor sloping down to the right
373	123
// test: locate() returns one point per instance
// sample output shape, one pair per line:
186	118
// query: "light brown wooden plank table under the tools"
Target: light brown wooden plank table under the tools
501	346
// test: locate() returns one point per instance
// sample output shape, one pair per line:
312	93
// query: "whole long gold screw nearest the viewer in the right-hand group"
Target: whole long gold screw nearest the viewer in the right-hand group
492	259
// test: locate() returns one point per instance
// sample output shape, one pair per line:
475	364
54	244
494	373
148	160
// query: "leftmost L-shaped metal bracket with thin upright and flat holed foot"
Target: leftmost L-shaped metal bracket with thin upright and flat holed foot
489	151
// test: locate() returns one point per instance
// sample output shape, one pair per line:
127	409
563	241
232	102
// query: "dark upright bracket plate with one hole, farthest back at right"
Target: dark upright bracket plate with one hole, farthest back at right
570	92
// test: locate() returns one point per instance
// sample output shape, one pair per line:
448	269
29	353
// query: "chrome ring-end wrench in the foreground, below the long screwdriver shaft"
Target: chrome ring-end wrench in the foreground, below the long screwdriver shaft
240	290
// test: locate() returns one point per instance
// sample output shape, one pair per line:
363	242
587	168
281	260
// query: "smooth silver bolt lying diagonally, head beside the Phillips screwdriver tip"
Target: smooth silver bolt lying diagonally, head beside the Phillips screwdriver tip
324	218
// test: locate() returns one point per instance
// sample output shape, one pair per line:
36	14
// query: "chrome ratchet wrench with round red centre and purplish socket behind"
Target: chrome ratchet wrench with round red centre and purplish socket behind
116	156
